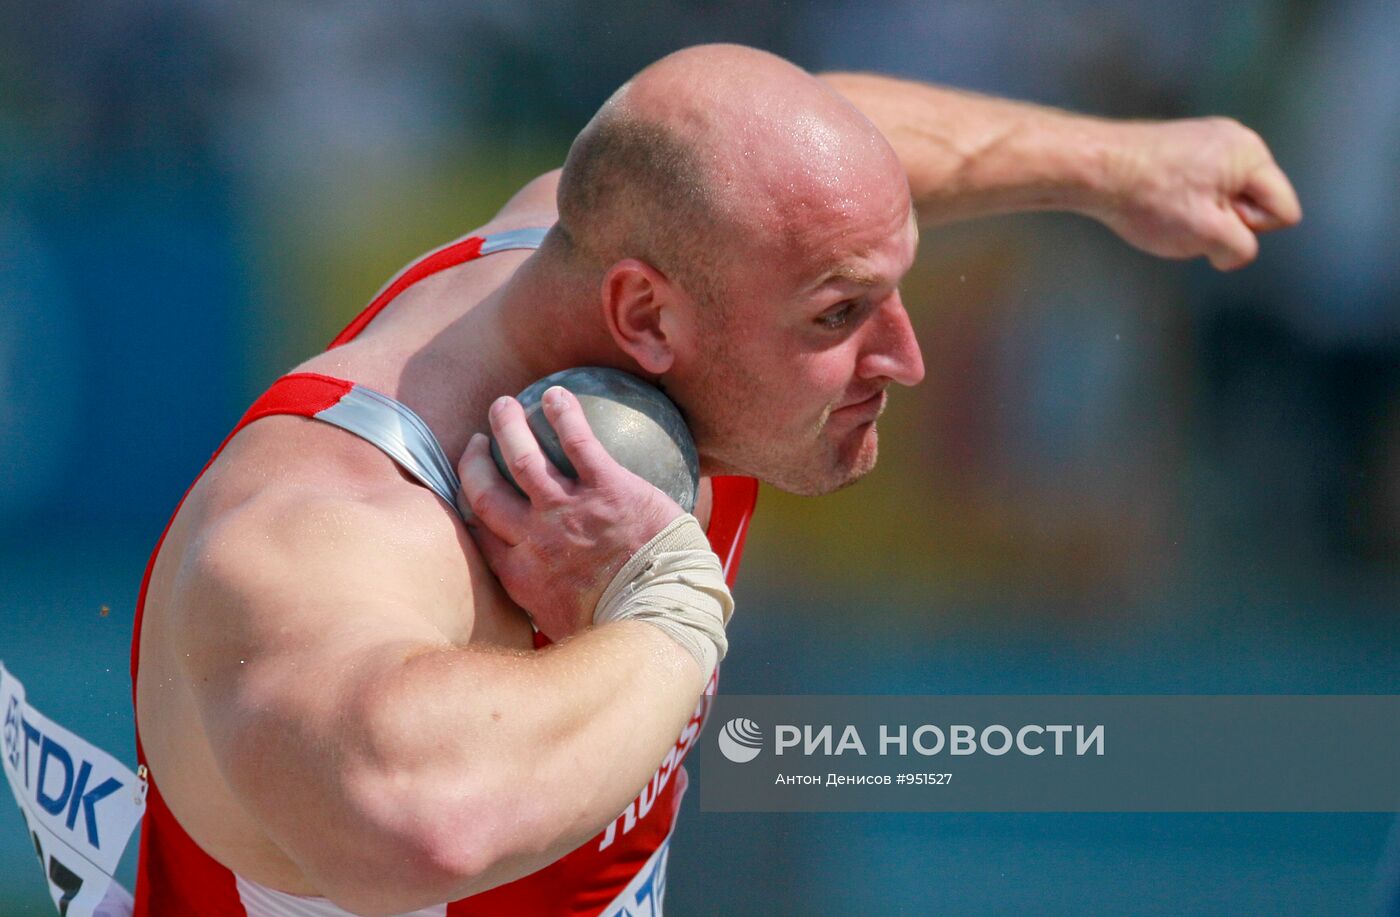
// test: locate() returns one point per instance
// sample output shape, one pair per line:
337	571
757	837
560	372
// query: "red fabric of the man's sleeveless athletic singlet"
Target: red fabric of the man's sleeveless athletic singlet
177	877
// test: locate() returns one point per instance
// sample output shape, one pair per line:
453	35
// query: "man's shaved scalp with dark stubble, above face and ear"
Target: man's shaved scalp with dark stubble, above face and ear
706	153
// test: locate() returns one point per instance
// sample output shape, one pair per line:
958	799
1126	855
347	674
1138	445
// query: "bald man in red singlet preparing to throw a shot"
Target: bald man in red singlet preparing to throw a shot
355	695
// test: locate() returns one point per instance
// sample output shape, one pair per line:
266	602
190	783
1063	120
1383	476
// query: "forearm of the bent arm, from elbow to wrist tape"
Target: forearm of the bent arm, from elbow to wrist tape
552	747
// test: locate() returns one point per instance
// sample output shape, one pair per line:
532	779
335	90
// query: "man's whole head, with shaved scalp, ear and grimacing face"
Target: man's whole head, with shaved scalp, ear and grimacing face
778	222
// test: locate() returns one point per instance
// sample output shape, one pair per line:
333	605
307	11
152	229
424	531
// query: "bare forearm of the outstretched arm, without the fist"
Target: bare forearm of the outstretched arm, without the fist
971	155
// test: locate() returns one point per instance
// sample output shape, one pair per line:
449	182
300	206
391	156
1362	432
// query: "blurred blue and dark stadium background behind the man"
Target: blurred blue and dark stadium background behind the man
1121	475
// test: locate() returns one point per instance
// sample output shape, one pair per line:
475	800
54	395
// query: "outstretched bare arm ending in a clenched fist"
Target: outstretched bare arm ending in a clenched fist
1177	190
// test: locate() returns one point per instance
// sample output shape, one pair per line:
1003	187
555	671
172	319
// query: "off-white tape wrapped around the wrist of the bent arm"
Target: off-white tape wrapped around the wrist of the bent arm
675	583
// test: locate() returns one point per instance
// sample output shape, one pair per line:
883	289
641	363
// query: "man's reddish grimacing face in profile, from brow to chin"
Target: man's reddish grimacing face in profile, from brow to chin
790	377
